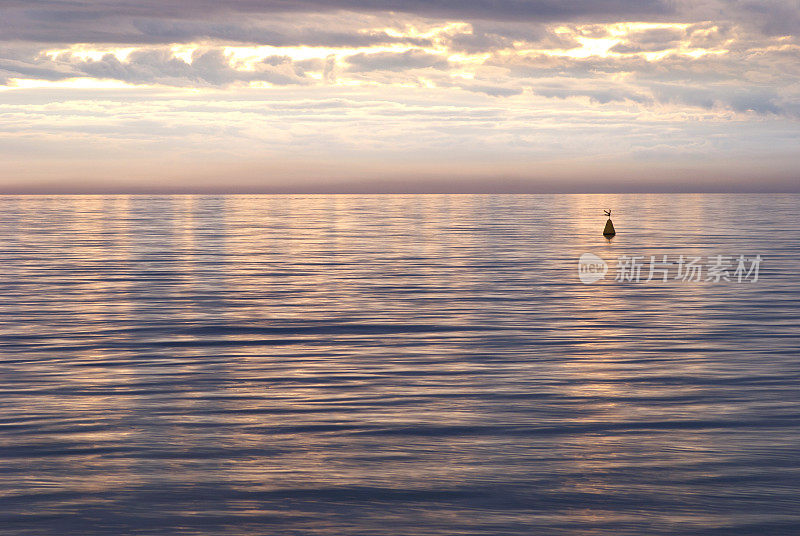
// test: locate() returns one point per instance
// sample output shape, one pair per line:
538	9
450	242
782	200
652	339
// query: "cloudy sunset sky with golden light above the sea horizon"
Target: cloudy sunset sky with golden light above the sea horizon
139	96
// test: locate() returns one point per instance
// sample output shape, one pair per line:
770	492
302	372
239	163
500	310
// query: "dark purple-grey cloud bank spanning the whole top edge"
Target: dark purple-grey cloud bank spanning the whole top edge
339	22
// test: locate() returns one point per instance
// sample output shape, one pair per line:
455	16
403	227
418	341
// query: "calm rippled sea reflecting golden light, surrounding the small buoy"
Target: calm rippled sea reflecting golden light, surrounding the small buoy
396	365
